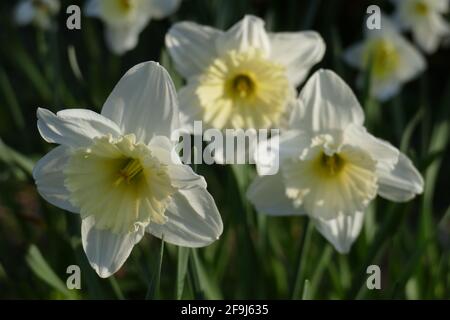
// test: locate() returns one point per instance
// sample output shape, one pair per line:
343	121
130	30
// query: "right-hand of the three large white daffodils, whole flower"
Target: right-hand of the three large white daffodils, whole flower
330	166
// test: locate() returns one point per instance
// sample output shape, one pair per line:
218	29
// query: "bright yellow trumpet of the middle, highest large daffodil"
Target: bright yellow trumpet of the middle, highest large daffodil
243	90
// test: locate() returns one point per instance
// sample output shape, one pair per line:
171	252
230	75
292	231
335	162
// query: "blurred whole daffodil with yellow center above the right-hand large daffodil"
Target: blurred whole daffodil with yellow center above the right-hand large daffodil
394	60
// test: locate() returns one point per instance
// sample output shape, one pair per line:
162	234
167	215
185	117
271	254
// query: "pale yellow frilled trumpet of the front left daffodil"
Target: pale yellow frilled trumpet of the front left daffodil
120	183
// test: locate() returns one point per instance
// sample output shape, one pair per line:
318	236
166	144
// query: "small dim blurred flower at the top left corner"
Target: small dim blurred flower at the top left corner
38	12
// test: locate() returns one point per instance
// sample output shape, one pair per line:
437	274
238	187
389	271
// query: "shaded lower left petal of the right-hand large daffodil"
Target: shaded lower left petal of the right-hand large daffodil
268	195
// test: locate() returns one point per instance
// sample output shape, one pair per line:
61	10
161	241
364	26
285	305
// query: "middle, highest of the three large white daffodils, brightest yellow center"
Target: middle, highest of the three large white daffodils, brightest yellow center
240	78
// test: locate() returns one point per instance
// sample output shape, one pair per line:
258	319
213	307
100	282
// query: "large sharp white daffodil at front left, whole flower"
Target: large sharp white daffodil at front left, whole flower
117	170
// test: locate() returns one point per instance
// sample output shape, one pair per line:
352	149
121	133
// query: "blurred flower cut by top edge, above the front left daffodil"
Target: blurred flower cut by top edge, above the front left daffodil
125	19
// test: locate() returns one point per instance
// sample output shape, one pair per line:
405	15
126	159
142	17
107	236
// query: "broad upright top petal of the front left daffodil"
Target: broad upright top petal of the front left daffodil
144	102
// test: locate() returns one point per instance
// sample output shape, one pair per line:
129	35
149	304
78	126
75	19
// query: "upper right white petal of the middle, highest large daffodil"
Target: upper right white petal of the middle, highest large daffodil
298	51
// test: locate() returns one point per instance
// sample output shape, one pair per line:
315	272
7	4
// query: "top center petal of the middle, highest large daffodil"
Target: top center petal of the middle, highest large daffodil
249	32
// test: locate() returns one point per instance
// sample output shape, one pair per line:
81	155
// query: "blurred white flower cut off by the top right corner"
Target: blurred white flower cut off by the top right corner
424	18
